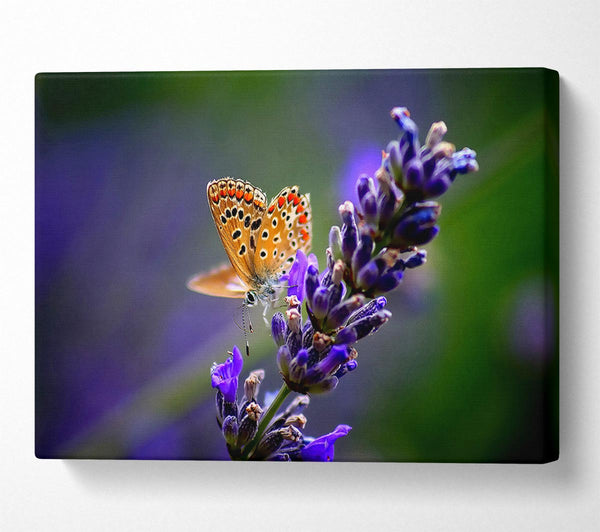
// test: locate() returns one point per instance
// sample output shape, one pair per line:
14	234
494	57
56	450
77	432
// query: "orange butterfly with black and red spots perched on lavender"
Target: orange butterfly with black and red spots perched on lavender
260	240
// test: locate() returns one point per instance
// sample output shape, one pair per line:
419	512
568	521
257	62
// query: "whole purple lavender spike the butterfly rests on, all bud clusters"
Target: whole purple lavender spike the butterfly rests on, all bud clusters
367	256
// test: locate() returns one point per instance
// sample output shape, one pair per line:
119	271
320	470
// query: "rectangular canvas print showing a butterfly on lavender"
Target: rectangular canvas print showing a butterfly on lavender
297	265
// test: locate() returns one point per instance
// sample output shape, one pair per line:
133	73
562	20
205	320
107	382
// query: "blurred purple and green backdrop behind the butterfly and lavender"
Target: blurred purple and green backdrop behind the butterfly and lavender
467	368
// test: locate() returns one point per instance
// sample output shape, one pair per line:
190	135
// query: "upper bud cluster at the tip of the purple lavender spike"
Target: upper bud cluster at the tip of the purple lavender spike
394	214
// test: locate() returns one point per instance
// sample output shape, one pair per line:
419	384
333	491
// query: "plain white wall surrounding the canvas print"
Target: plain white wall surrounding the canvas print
118	35
